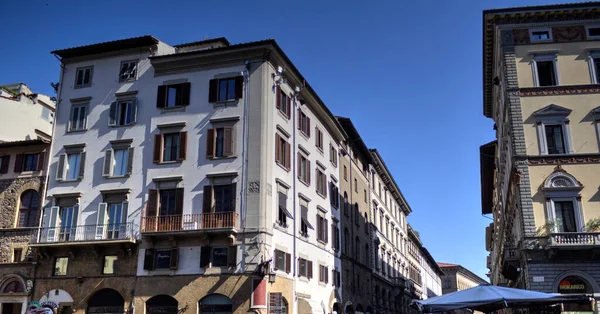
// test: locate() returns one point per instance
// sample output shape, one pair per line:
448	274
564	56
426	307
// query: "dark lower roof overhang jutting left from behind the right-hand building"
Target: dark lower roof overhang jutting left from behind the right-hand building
487	160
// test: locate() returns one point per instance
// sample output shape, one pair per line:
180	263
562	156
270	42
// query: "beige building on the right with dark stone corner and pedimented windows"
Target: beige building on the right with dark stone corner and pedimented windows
540	175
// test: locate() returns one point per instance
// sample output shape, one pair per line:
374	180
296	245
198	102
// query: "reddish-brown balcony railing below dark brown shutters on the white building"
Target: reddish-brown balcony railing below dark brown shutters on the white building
189	222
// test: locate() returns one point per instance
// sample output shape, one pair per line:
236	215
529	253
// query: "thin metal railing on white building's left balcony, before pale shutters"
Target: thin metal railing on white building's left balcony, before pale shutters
83	233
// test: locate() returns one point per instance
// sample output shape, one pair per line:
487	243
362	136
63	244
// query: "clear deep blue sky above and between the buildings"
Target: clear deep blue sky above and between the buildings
408	73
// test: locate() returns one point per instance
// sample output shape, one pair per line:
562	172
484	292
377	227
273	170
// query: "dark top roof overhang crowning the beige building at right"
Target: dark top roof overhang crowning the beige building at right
522	15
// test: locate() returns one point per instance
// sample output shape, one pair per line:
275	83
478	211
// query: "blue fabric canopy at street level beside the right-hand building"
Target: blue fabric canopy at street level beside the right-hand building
487	298
